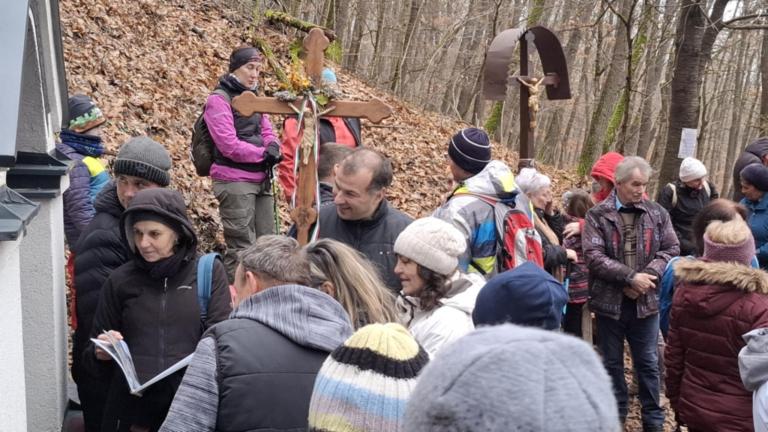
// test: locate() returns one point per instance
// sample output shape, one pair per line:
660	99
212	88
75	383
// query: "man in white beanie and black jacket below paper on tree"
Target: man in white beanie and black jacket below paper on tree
685	198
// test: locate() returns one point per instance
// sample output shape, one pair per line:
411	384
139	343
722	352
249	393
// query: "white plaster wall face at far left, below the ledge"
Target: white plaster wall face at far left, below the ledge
13	401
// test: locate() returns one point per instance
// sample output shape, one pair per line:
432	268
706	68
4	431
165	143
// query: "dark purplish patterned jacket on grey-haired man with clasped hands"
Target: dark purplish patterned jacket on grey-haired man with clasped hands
602	241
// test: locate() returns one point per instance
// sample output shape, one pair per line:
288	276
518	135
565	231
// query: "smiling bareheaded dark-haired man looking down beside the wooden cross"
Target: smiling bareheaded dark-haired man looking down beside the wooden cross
362	218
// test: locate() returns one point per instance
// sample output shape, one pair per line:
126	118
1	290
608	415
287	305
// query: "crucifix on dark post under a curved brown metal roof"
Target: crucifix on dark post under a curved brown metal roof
554	80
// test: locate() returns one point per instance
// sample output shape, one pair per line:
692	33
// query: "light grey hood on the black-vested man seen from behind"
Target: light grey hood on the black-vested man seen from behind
304	315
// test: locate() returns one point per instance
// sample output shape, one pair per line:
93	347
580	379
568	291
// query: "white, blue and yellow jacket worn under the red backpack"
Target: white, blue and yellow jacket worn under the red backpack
475	217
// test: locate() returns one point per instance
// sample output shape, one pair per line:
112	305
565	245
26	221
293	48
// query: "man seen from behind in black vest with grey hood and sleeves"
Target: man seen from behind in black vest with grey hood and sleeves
256	370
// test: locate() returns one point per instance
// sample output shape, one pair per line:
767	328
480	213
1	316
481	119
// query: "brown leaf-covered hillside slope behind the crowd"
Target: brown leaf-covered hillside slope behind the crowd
150	64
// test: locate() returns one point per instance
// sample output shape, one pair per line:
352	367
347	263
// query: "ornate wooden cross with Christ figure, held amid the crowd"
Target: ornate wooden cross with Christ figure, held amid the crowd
304	212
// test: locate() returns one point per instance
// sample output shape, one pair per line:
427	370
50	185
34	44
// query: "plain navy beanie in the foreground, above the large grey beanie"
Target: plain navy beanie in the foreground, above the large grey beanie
526	295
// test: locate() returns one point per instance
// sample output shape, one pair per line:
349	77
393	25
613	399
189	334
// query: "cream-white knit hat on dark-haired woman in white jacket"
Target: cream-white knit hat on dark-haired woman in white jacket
432	243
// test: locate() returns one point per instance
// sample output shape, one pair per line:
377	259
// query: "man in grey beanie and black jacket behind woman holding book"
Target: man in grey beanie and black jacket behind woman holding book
141	163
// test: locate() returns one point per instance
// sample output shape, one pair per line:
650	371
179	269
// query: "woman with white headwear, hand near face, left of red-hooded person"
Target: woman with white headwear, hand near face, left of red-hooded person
547	220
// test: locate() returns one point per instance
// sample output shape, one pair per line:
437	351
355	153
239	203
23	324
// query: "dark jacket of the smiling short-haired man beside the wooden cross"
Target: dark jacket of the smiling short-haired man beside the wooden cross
374	238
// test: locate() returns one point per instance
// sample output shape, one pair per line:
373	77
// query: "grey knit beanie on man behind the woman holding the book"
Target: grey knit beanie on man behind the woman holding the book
144	157
